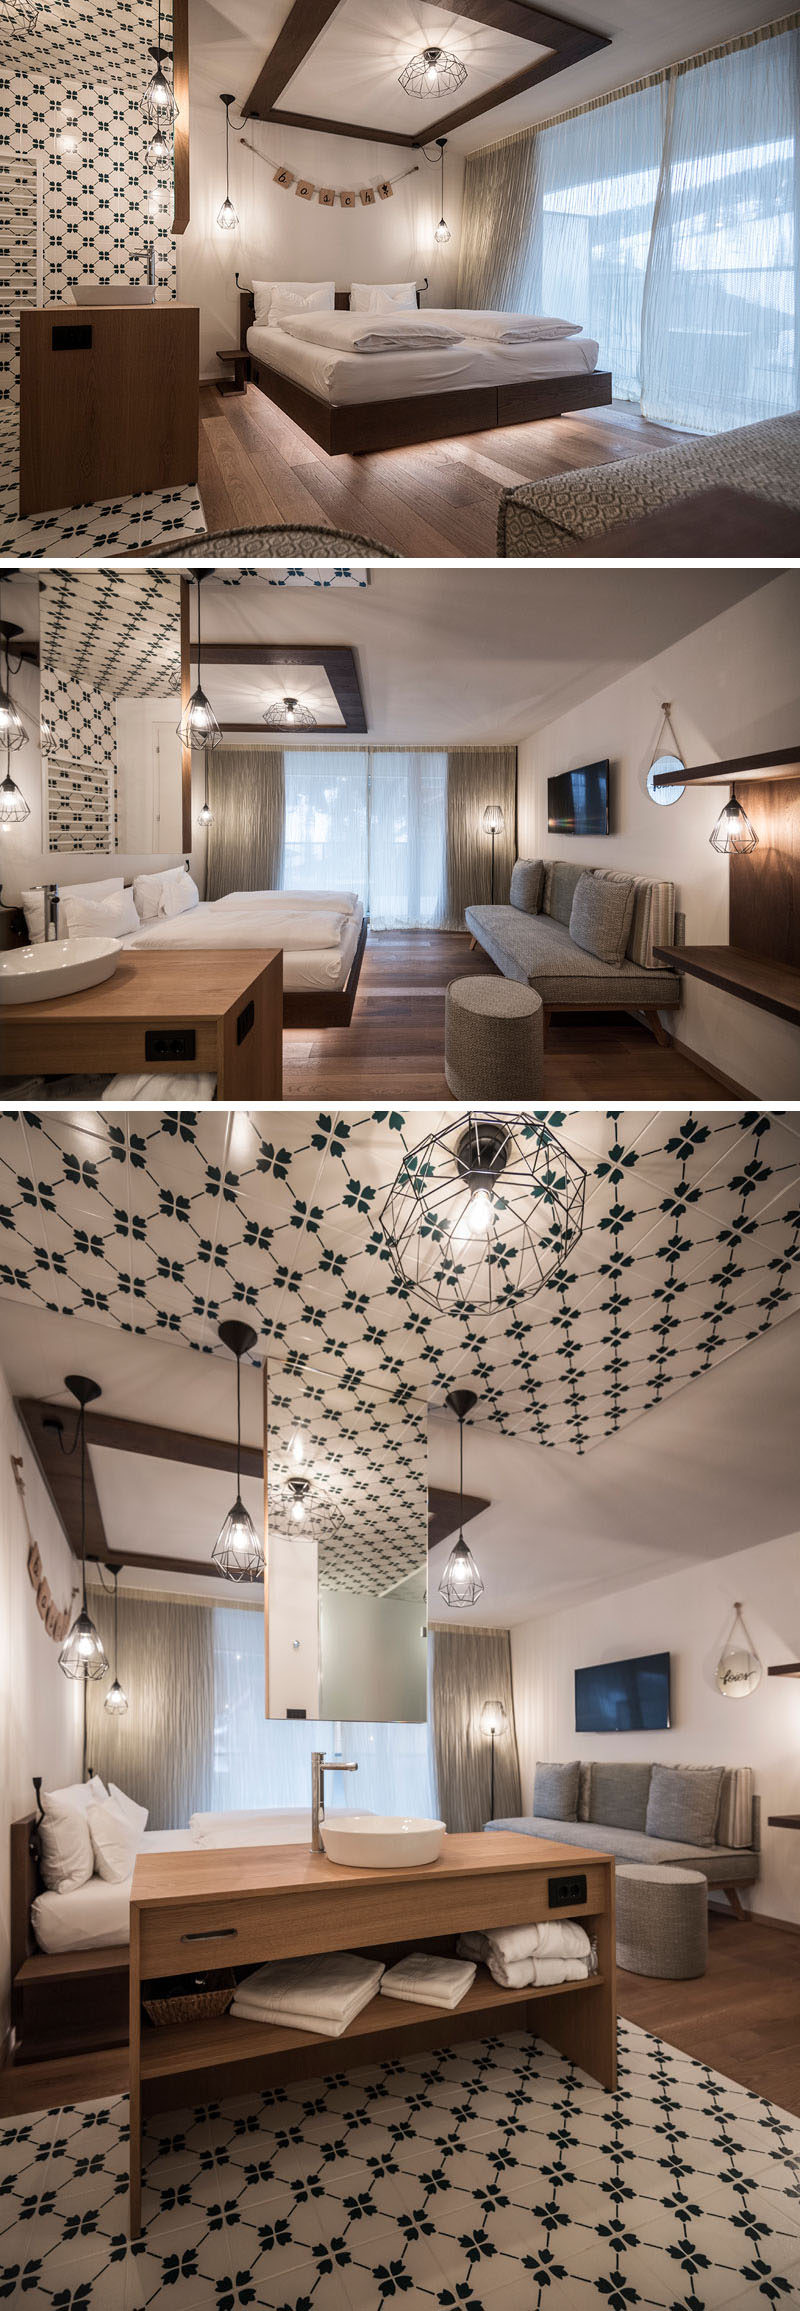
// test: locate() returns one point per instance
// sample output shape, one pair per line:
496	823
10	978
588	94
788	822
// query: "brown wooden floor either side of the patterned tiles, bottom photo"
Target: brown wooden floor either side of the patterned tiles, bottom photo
743	2019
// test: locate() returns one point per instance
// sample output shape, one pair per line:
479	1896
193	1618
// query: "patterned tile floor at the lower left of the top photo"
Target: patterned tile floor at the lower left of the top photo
119	526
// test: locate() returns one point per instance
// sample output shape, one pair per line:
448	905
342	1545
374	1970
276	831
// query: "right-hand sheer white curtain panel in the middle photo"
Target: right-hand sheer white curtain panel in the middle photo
408	840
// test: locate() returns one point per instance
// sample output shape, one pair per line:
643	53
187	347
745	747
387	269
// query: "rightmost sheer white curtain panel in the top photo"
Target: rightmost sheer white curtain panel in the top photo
720	341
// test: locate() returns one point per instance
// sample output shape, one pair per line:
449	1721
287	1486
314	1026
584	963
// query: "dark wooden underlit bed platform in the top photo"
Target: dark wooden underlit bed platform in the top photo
424	417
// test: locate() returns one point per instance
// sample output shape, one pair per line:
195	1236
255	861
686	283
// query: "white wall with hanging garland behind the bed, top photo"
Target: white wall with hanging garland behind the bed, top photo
286	239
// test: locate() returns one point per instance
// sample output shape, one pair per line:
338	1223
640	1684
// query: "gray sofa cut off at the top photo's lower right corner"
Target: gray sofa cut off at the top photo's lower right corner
549	517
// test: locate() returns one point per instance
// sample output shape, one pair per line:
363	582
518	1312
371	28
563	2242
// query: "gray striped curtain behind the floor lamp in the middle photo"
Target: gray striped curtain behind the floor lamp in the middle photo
475	778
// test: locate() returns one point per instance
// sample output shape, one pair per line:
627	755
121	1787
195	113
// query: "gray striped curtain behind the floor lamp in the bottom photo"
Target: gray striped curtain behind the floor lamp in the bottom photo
468	1670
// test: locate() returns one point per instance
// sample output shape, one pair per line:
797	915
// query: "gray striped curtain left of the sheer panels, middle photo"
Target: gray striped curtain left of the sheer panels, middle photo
246	838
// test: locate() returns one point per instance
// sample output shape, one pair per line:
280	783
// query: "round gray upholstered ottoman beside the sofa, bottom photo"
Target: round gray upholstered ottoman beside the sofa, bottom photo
662	1922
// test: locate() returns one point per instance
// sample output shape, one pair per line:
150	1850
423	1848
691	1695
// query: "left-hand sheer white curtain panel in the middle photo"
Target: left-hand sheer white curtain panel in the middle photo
327	819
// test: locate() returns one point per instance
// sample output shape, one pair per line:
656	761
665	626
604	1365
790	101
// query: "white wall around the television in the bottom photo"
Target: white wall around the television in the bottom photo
686	1614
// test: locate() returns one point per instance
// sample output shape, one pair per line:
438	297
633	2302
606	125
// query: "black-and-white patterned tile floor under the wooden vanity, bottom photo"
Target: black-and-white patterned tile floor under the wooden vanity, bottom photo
484	2180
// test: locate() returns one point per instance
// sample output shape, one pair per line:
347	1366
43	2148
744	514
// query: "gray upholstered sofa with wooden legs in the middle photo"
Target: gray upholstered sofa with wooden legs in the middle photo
535	944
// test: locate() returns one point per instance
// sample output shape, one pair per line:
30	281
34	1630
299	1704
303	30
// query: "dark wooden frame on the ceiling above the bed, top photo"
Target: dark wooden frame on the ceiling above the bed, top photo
309	20
